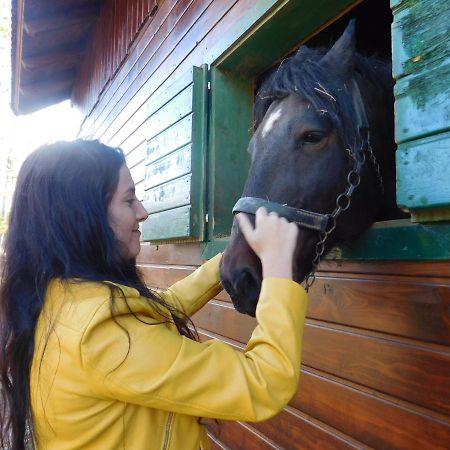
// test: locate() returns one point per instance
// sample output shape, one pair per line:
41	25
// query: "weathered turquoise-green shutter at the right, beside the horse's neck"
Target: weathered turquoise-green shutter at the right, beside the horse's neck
421	67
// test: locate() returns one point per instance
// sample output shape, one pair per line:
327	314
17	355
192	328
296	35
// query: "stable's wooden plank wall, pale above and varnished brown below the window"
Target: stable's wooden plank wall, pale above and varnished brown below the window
376	361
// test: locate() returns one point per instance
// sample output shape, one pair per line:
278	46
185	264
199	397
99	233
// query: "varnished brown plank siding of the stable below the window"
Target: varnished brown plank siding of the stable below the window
376	361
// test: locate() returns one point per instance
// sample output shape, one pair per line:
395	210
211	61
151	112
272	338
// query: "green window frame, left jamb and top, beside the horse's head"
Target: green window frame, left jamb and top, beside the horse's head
280	26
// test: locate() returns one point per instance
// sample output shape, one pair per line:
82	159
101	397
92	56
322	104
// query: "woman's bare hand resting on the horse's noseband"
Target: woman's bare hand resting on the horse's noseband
273	239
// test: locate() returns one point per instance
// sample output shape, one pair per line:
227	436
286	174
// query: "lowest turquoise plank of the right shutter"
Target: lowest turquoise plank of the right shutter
423	172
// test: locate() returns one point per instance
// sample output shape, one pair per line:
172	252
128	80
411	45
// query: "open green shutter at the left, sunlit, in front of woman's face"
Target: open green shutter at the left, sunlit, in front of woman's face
175	161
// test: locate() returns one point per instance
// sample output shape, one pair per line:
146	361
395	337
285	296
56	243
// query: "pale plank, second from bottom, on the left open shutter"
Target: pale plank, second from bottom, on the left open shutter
172	194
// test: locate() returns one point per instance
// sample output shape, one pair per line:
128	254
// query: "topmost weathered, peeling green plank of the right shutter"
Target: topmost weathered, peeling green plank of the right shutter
420	35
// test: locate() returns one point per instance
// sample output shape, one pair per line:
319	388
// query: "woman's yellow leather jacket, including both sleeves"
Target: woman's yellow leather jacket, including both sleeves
95	387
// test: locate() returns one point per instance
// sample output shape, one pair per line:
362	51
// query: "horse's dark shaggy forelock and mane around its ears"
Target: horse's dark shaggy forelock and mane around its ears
325	87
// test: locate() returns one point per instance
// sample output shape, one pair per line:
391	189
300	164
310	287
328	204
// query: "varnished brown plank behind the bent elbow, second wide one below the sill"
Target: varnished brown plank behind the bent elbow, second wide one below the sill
395	366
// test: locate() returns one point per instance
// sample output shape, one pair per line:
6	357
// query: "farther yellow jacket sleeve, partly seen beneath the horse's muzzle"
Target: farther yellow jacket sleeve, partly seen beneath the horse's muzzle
192	292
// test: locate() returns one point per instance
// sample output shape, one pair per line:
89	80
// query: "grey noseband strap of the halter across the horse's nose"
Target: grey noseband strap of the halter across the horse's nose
303	218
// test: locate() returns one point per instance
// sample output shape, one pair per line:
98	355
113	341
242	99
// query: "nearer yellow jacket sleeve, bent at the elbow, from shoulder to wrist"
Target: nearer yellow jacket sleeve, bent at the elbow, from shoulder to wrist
158	368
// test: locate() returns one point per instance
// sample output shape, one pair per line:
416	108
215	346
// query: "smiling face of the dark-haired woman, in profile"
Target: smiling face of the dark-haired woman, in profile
125	212
